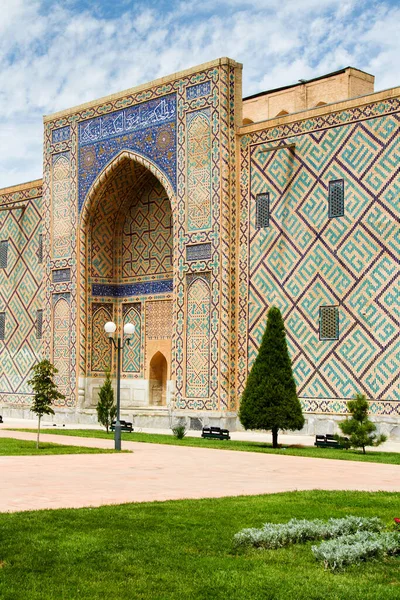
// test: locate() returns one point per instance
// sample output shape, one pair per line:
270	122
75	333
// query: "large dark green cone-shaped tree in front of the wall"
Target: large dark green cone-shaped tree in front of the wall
270	400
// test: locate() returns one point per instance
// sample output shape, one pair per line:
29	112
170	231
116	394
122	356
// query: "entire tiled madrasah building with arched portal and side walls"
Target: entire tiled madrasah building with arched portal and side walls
188	210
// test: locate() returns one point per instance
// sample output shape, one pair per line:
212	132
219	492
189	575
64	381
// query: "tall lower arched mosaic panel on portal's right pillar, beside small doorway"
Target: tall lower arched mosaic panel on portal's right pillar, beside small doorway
198	337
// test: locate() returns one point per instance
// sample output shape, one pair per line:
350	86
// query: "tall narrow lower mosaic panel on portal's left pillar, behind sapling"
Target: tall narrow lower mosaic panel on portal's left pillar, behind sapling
61	344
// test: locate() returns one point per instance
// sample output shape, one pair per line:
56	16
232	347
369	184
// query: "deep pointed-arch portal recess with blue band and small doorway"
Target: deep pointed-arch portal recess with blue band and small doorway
127	239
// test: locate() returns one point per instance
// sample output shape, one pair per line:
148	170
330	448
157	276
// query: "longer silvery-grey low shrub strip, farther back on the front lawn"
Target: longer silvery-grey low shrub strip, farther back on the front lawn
297	531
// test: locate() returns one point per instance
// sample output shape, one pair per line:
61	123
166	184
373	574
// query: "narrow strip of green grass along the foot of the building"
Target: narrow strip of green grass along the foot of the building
308	451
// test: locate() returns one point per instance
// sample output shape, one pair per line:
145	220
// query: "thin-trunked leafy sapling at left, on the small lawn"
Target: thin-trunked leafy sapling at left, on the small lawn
45	391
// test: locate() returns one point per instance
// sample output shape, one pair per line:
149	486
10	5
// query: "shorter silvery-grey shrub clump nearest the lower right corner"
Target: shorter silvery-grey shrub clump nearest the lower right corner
352	549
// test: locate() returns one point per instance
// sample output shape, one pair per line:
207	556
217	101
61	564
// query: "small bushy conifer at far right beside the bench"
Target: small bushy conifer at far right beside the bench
359	428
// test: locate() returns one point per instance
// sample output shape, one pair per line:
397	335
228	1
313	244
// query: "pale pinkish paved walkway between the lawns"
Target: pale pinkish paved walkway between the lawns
159	472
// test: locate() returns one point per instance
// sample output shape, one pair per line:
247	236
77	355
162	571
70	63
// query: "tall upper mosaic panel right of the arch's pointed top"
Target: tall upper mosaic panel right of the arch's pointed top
199	170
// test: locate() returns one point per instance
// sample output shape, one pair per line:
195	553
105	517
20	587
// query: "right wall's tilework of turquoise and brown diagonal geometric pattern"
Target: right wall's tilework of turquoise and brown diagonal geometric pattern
305	260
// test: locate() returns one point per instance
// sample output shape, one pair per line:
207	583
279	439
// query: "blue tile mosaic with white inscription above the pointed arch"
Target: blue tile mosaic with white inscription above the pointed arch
148	129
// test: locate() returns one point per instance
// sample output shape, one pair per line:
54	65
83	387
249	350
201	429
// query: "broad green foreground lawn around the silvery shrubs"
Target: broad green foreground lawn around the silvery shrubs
183	550
